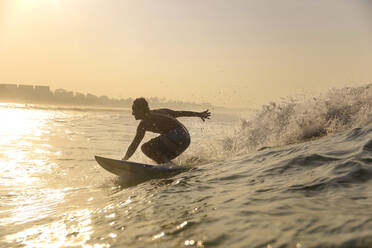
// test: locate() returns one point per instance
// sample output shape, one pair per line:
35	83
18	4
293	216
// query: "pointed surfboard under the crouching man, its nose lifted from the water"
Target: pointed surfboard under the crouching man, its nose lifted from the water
139	171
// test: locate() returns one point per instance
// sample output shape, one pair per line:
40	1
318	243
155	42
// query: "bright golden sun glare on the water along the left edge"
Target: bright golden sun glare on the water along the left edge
26	163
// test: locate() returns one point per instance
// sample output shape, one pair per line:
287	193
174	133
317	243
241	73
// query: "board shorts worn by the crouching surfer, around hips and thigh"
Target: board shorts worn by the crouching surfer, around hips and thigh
172	143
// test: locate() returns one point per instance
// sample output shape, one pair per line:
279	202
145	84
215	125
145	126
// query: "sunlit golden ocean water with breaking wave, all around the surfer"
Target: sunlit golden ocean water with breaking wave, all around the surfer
290	174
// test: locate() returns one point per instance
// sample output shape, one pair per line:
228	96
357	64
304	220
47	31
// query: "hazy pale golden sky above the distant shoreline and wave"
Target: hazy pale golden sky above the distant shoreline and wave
230	52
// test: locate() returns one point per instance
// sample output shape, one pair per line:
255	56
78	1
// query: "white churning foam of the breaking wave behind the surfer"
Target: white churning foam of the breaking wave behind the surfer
295	119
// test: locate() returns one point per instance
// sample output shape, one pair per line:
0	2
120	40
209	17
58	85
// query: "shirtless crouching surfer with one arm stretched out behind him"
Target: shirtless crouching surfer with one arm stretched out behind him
174	137
